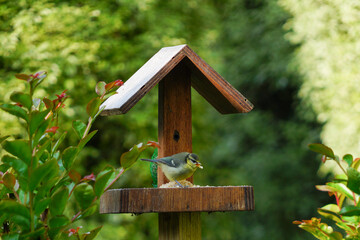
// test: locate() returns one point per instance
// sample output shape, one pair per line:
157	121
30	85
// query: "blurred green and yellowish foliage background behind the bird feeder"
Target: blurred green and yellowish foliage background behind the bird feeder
296	61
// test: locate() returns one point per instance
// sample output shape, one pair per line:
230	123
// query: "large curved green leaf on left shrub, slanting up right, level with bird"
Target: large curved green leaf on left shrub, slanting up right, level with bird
41	171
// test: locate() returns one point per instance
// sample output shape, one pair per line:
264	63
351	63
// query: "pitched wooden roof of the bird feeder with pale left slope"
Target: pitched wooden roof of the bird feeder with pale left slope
216	90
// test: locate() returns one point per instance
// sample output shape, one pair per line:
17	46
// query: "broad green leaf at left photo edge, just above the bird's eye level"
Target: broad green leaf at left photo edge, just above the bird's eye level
20	149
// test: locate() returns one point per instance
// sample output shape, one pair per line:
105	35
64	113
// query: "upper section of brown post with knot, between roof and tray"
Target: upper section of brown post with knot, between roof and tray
174	128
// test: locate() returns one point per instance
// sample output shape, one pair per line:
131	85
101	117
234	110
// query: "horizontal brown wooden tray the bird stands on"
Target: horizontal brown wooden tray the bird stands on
165	200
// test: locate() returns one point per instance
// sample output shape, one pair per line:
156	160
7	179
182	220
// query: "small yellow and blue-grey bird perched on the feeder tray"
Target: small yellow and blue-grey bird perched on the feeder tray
178	166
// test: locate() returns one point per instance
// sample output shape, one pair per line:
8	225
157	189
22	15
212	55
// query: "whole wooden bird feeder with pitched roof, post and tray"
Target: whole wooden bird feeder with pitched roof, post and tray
176	69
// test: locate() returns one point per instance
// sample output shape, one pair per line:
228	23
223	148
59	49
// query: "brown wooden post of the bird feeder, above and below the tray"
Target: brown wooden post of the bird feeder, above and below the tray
175	135
